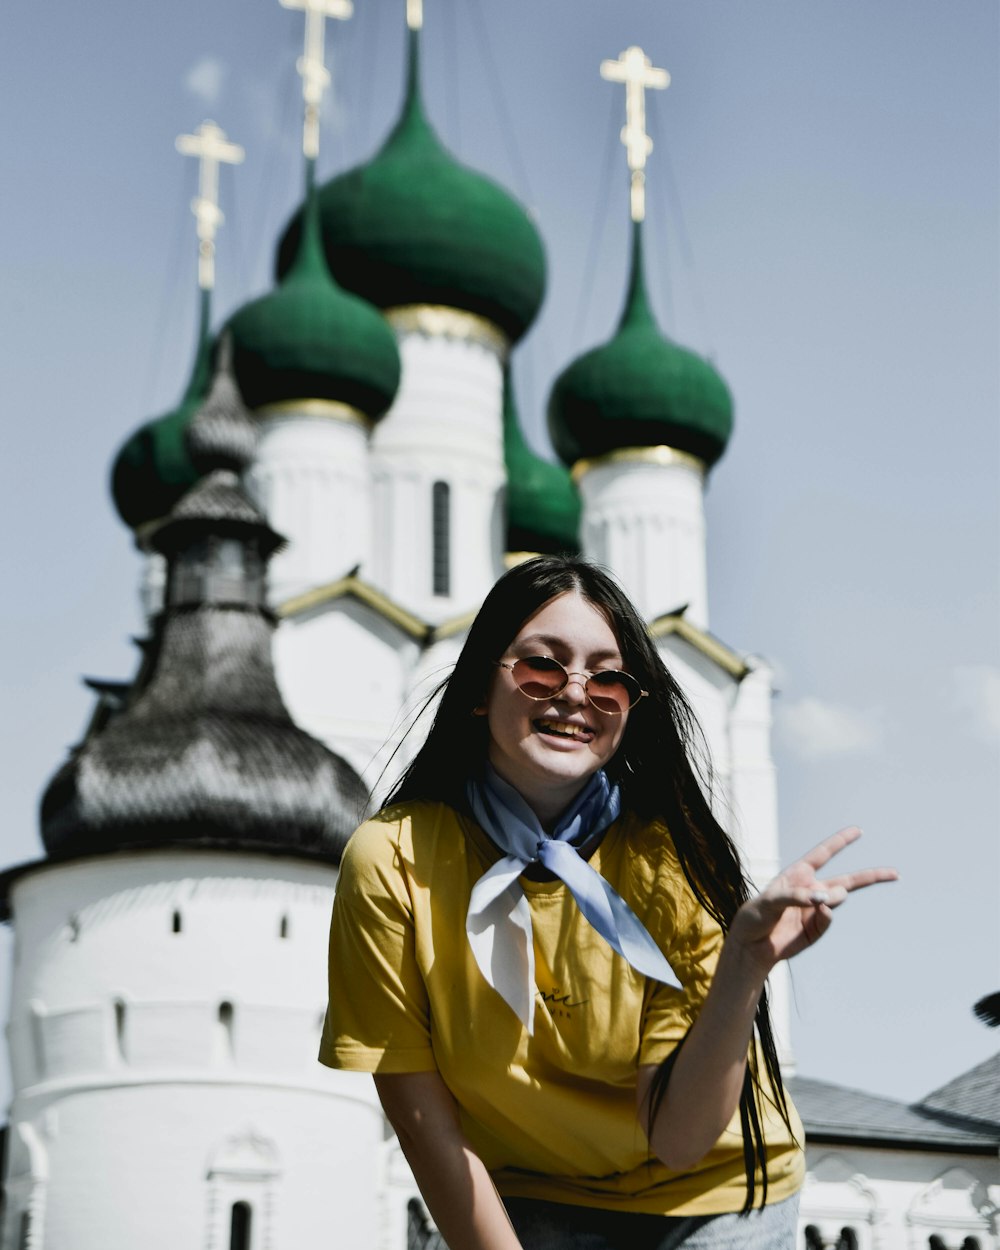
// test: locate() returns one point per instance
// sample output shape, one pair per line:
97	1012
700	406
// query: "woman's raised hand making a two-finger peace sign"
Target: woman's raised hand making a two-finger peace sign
797	908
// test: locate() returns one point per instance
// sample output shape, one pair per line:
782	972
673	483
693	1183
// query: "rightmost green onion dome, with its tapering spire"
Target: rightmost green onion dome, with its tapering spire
638	391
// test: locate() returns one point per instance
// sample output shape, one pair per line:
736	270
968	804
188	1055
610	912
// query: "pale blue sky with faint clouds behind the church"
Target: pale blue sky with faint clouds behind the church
823	223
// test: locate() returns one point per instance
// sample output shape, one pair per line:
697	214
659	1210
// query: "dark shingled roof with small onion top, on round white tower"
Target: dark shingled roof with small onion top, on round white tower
204	752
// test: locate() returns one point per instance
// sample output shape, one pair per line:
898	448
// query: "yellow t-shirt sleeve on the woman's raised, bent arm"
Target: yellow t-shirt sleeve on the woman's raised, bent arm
692	947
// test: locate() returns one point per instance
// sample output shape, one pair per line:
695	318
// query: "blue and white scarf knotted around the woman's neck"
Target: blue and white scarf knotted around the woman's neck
499	919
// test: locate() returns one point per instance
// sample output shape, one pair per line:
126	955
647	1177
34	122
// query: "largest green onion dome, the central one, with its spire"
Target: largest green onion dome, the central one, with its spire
416	227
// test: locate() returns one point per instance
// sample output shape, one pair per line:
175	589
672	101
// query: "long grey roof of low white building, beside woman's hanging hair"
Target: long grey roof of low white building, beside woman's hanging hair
836	1114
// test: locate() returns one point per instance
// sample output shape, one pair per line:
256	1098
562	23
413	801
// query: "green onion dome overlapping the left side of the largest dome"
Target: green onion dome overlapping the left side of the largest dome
309	339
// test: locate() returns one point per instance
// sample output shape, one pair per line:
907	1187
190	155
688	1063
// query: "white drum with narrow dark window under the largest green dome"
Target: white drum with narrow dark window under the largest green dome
444	428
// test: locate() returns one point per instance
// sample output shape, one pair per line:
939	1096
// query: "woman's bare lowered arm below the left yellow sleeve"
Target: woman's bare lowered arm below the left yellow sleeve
454	1183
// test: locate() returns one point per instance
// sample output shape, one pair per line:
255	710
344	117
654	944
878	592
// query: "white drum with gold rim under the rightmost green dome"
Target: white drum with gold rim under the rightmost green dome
644	519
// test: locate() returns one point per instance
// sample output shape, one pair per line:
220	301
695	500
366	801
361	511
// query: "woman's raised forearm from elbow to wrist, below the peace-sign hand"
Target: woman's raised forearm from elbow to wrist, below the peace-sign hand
704	1088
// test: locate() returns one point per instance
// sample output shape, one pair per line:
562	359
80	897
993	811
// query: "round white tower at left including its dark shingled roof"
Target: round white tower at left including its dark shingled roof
169	986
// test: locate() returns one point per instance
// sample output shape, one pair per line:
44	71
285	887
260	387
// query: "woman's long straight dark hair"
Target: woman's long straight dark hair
662	767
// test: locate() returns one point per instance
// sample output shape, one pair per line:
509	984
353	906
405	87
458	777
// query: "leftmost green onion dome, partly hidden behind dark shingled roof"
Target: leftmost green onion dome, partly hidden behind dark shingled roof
153	469
